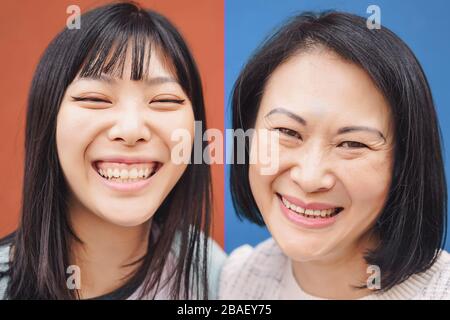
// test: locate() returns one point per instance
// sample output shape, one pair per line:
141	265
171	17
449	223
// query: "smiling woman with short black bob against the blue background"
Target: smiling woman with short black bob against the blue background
357	206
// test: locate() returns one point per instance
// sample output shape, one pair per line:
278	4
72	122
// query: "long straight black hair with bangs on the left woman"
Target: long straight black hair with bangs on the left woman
41	244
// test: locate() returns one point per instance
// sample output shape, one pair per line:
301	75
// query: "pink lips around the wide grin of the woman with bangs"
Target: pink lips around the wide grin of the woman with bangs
128	187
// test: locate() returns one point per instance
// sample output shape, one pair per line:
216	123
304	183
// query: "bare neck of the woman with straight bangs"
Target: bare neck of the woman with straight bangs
105	251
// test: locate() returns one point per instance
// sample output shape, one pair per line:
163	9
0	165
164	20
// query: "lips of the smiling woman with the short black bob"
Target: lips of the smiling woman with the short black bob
305	222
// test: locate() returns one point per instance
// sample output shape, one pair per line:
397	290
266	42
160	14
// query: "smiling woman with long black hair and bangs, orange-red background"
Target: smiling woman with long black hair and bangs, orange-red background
106	213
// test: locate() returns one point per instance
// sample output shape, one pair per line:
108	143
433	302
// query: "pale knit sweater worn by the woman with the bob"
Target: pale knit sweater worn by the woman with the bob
265	272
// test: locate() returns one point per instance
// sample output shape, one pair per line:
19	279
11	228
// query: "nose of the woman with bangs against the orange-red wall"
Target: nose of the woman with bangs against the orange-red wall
130	128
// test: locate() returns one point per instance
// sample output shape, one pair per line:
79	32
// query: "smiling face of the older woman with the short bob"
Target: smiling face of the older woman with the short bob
335	156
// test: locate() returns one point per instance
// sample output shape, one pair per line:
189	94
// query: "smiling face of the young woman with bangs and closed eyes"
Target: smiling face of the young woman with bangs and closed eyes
114	142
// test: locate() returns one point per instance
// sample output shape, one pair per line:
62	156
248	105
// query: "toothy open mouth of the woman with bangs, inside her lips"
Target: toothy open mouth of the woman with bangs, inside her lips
126	172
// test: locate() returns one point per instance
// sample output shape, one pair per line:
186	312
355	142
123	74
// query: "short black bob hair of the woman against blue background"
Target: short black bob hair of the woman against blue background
412	224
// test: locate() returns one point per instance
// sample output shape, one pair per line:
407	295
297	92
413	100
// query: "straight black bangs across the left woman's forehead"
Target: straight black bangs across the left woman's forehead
140	38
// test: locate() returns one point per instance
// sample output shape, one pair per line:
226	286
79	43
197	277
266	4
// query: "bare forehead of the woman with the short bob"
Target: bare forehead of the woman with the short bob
320	83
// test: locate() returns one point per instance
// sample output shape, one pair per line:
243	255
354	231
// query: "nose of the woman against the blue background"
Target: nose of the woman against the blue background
312	171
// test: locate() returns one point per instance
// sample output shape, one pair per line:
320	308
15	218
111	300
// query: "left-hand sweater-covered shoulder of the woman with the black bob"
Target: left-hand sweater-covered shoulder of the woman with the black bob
253	273
